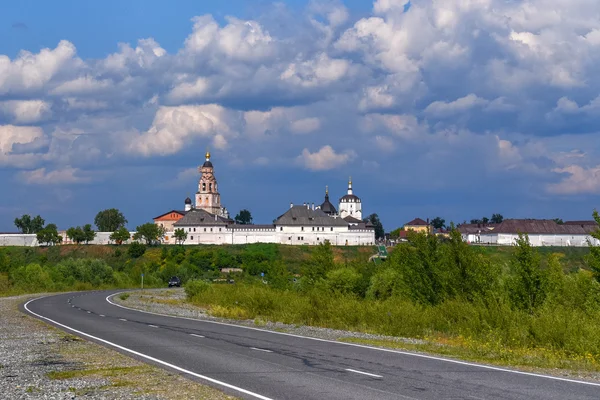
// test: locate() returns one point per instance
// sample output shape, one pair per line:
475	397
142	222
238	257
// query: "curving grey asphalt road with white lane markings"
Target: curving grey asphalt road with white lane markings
252	363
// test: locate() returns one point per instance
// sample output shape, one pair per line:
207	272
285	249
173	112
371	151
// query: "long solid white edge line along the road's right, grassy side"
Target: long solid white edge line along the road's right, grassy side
361	346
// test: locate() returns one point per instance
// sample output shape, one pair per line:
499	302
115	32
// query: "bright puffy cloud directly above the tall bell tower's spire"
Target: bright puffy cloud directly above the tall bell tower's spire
173	127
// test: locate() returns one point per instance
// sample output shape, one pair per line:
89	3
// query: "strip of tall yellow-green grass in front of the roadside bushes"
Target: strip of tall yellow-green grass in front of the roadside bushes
555	337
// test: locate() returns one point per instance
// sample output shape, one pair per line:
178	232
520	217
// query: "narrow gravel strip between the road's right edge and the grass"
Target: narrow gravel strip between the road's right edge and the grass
172	302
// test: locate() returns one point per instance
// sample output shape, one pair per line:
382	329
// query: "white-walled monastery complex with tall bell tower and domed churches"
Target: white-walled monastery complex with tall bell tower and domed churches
207	221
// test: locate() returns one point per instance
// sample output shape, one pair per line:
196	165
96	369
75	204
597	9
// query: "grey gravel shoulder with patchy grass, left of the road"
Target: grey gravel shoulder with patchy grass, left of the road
38	361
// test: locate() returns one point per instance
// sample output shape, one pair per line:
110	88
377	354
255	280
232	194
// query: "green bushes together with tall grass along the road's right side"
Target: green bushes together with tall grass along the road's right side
531	308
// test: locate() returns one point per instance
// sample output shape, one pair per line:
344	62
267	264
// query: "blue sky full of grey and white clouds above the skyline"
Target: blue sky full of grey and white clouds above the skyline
458	109
